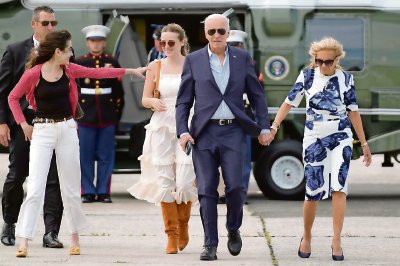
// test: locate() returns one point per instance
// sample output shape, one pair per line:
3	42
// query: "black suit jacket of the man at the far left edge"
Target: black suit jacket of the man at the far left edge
12	67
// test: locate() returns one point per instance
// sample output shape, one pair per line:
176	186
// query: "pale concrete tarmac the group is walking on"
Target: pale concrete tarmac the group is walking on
131	232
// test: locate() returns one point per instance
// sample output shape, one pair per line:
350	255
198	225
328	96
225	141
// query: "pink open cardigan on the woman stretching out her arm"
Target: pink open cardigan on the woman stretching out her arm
30	78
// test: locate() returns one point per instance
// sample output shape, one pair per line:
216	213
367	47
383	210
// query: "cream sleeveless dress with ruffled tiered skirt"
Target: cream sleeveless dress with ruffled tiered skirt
167	172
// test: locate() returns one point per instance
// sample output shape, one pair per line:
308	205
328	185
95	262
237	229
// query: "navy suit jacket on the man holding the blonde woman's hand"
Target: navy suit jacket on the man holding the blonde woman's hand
198	86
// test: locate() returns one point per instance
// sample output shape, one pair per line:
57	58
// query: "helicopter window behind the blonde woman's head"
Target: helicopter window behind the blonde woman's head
349	31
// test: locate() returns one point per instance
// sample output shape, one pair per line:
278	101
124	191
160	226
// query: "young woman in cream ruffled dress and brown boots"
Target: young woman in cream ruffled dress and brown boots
167	177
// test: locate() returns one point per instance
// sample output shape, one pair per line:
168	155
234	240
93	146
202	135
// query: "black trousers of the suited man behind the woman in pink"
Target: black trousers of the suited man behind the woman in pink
13	192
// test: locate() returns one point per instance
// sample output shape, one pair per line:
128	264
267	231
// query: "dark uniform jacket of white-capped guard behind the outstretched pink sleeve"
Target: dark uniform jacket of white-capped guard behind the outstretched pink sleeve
101	109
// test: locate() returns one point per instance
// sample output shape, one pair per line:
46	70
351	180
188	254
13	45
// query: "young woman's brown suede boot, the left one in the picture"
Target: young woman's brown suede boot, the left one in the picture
170	215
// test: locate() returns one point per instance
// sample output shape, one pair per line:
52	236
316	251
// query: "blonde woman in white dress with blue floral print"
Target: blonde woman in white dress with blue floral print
331	109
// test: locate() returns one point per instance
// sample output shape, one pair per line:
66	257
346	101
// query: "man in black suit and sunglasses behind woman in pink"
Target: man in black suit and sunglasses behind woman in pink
11	69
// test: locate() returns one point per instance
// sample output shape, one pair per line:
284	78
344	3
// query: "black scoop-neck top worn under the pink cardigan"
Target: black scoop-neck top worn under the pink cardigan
52	98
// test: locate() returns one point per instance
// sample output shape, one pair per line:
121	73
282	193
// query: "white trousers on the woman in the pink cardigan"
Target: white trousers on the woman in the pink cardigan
63	138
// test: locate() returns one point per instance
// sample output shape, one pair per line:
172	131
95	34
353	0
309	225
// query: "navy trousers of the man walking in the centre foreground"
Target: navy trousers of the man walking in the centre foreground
220	146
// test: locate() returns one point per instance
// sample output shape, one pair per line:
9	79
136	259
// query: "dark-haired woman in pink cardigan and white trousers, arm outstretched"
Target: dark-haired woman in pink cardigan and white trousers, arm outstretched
50	88
